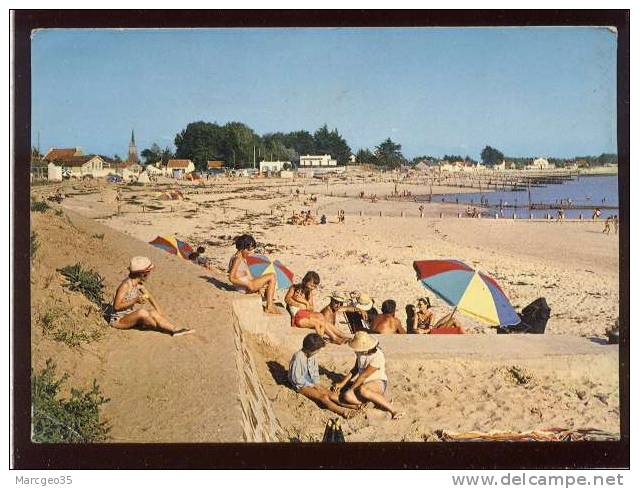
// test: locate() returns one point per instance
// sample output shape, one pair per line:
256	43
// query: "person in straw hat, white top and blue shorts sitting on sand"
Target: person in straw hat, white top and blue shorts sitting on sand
368	377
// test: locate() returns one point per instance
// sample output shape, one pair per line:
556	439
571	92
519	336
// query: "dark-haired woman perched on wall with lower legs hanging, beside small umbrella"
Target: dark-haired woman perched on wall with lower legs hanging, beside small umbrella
241	277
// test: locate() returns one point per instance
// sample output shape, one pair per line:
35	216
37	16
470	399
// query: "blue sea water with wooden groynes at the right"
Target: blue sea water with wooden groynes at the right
592	191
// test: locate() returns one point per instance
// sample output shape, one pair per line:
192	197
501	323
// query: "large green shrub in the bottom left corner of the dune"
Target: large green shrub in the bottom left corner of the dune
75	419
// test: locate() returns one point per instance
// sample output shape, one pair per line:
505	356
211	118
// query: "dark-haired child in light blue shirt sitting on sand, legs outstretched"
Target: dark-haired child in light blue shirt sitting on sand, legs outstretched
303	375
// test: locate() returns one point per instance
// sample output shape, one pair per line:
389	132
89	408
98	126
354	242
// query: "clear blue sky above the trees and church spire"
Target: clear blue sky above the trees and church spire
525	91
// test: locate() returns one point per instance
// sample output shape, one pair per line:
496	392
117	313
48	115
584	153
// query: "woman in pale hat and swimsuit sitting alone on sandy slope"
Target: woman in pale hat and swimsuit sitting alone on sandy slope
131	294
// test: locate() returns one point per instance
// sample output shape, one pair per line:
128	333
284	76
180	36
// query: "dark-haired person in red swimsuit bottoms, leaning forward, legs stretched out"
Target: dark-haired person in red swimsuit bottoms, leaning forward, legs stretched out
300	305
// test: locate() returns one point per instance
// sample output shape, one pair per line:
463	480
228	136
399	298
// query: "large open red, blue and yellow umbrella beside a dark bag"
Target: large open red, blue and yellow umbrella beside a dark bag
468	290
